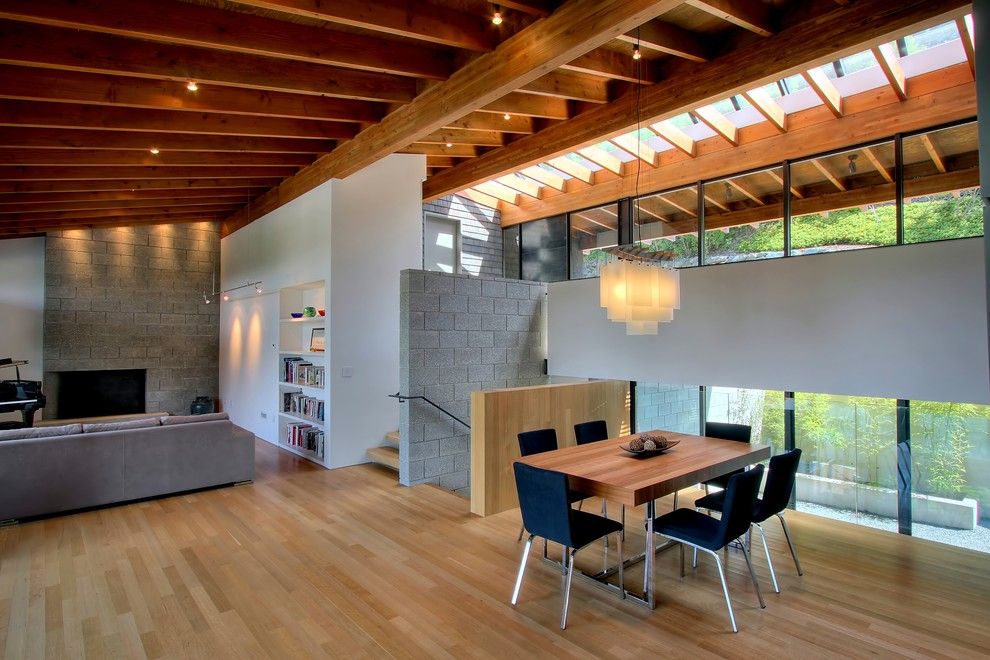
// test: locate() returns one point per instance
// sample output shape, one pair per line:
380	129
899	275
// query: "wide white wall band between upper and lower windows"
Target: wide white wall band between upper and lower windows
901	322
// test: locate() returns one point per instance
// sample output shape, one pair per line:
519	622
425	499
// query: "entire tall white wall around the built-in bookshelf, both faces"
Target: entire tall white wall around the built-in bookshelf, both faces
356	234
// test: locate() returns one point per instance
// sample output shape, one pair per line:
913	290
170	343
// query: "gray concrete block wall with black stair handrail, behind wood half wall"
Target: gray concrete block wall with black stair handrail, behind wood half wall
459	334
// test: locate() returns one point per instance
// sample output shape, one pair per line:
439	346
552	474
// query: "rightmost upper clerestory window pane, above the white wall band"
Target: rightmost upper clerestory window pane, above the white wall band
941	185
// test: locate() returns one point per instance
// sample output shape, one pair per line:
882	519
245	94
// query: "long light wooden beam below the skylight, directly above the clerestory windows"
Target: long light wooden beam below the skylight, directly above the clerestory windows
948	95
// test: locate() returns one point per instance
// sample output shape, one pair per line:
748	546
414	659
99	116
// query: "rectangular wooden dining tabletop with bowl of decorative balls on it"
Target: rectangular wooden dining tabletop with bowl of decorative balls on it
603	469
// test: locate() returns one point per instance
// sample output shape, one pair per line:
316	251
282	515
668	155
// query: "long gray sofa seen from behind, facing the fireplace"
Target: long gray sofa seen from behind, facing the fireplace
44	475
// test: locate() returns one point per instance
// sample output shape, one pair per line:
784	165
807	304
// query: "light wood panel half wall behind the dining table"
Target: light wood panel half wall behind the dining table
497	416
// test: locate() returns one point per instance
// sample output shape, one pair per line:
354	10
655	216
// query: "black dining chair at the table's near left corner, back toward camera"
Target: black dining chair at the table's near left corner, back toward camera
544	499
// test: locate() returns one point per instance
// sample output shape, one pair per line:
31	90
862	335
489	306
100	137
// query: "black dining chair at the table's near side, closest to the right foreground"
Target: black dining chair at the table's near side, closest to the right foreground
701	532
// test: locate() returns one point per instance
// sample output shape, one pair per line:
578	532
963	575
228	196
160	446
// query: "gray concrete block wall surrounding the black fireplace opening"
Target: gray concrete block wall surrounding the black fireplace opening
132	298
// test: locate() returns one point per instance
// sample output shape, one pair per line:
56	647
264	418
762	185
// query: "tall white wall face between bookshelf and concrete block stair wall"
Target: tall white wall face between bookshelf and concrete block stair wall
377	232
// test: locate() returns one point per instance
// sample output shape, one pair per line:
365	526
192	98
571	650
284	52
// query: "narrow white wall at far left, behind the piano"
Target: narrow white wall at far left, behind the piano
22	303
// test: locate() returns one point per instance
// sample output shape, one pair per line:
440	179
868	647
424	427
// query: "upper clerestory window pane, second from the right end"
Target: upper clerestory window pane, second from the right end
844	201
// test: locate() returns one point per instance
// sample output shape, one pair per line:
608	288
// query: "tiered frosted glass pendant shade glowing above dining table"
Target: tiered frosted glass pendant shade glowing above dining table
641	295
